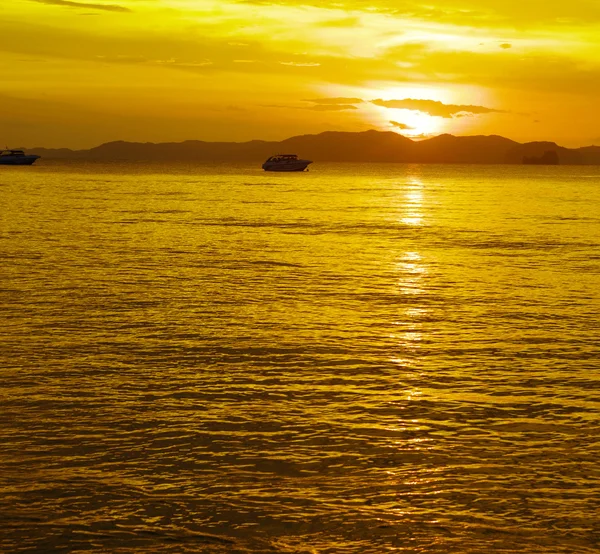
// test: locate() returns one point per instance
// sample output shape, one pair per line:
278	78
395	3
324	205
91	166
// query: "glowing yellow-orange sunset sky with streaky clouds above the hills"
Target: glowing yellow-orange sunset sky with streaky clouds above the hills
79	73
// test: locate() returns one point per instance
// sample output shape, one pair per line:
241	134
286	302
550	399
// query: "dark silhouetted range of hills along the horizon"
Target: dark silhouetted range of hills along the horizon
333	146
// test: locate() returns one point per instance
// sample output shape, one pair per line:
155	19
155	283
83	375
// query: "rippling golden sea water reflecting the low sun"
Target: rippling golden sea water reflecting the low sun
357	359
